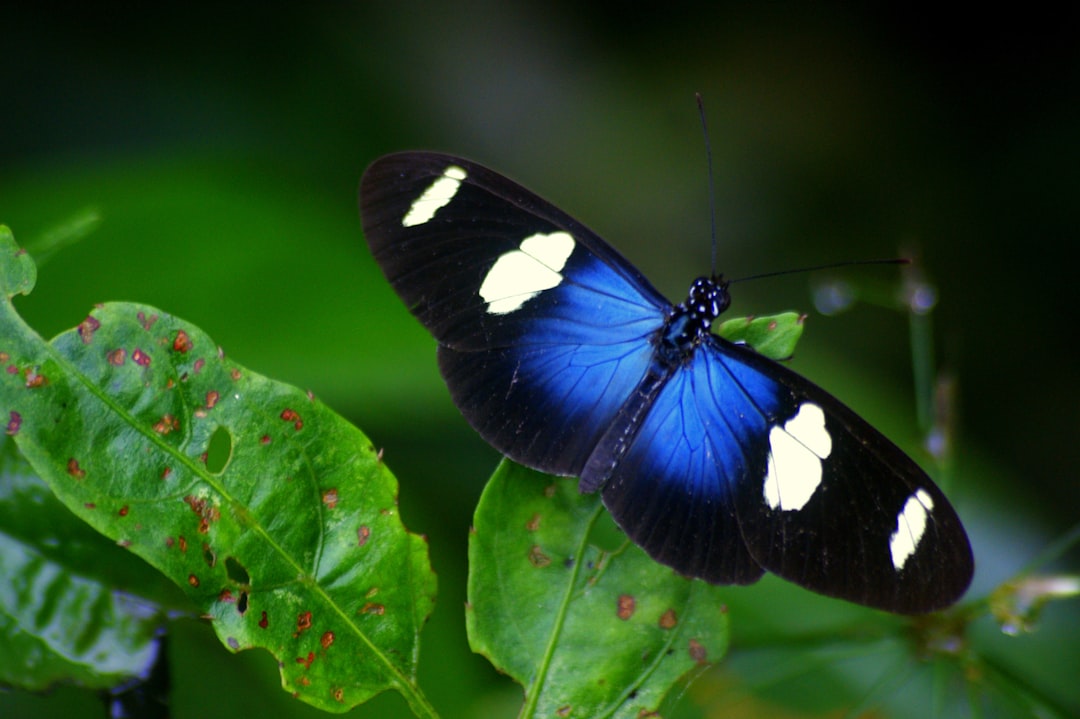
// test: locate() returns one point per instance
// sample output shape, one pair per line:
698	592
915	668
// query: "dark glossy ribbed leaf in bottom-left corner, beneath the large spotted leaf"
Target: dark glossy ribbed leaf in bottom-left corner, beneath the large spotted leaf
60	620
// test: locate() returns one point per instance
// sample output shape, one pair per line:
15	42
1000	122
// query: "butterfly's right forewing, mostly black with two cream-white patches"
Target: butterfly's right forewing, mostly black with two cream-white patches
860	521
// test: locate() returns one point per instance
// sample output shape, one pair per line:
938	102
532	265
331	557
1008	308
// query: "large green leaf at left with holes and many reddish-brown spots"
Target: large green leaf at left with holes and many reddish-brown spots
274	514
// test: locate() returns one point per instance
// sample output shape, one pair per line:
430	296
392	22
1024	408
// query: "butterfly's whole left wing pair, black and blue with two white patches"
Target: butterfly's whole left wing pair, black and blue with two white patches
543	328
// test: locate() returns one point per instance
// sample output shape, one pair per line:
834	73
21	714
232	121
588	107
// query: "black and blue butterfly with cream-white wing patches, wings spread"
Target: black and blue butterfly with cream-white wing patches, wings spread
719	463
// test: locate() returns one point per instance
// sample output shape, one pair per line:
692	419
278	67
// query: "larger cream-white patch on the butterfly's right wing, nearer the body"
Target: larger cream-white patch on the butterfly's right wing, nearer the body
796	452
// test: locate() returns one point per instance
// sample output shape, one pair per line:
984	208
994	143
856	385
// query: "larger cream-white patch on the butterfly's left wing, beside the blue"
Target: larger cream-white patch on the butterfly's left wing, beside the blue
523	274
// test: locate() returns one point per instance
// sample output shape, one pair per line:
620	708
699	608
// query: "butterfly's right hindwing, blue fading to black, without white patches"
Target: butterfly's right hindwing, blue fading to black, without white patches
672	487
